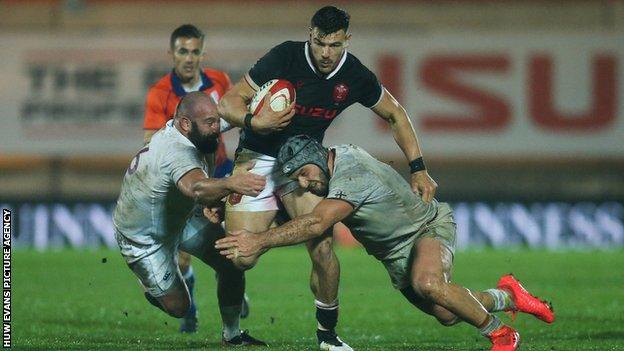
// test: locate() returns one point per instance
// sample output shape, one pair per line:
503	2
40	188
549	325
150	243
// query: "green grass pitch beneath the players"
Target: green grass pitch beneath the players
72	300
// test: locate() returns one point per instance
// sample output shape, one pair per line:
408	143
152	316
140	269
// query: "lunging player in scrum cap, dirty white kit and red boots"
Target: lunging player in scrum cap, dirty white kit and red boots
414	239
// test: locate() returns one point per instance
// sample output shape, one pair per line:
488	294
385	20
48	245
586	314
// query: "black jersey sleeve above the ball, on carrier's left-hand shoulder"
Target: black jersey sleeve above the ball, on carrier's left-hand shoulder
270	66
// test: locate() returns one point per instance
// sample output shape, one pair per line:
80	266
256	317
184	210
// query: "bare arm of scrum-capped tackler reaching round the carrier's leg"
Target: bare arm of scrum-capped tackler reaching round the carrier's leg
303	228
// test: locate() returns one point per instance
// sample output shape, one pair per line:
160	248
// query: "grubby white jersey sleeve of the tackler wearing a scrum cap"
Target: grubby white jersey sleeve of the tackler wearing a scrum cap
353	189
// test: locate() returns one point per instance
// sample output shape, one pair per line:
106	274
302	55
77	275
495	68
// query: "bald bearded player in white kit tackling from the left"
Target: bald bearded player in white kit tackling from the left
160	210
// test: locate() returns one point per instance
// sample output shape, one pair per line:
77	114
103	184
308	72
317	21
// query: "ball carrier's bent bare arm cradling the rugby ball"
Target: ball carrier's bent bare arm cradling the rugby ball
233	109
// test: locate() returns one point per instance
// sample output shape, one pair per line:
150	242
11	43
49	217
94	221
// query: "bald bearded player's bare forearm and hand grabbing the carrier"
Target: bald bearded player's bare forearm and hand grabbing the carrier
210	191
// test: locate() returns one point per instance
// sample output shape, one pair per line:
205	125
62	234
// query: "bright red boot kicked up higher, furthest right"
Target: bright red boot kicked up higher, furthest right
524	301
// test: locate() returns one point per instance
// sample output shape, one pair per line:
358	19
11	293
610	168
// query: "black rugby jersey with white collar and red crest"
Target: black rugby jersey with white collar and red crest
320	99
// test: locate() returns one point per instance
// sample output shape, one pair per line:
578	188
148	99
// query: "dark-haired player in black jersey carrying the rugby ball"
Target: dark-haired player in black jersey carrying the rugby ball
327	80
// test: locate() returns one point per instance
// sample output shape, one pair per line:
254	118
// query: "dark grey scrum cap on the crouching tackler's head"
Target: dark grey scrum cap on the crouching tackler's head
299	151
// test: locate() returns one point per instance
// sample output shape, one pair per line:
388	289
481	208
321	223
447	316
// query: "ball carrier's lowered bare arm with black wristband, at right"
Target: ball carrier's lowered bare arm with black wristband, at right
403	132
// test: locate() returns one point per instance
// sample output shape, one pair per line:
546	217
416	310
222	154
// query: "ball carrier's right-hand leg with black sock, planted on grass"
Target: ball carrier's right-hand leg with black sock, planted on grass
325	273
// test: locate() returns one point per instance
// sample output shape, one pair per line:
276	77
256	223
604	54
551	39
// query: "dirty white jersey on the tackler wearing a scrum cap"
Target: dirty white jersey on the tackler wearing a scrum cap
387	215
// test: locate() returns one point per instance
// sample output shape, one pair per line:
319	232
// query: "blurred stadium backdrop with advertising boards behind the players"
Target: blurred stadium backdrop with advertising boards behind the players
519	106
